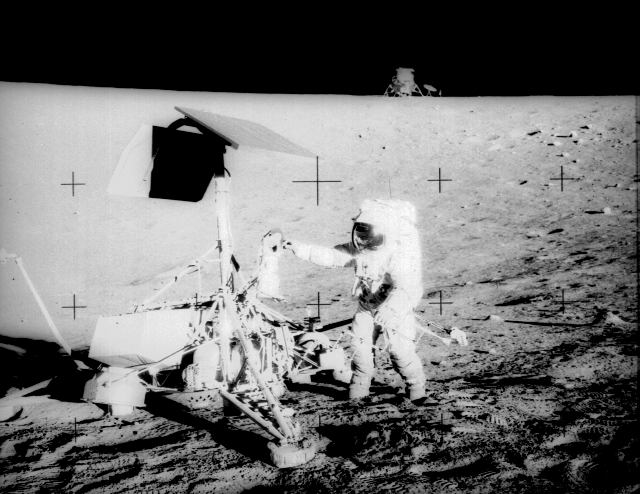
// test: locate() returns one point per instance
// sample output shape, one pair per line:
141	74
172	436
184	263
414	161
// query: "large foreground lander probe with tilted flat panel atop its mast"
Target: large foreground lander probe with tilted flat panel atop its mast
225	348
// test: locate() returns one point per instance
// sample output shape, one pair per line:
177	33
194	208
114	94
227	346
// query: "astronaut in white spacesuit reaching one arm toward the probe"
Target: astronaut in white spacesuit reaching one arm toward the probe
385	253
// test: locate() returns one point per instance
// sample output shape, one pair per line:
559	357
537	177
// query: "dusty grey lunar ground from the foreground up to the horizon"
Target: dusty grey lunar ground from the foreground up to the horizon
529	242
